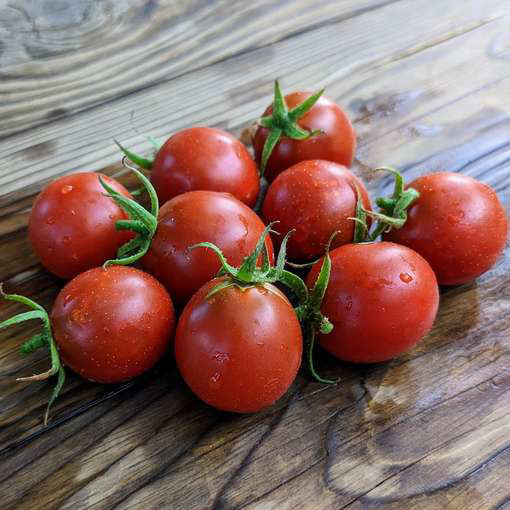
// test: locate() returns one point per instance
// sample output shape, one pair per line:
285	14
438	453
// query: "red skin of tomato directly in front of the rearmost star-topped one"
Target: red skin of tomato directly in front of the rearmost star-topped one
316	198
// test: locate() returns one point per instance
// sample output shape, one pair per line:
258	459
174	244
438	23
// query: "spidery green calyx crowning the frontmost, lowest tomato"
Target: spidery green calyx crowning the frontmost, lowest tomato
250	274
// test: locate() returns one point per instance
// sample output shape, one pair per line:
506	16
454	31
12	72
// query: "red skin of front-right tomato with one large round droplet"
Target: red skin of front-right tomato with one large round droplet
382	298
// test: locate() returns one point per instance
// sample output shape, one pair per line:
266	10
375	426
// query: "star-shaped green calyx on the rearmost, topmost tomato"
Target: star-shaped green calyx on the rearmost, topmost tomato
283	122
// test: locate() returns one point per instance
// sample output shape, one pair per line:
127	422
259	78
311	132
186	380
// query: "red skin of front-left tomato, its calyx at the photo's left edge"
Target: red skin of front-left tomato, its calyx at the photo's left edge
112	324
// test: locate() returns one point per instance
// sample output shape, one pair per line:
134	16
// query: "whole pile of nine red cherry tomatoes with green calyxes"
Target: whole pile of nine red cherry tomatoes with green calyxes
245	317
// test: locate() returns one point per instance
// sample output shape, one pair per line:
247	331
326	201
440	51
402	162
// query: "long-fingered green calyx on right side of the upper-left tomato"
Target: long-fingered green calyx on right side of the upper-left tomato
141	221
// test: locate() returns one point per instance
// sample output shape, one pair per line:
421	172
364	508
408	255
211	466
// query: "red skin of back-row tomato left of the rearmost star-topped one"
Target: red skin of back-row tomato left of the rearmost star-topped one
203	158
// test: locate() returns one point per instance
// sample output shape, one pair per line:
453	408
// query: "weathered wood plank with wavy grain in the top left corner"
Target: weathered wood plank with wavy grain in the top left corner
62	59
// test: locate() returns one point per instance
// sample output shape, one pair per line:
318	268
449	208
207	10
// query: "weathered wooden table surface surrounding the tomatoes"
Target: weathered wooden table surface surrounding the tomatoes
427	84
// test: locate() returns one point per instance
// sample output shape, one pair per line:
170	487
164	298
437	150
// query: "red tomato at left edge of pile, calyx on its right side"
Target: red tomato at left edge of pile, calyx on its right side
72	224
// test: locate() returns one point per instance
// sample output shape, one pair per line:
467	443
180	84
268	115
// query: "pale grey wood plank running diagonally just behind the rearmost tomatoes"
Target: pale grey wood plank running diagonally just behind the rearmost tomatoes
241	87
